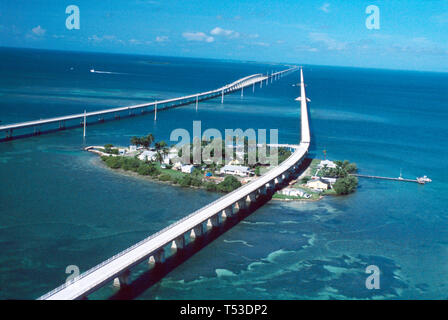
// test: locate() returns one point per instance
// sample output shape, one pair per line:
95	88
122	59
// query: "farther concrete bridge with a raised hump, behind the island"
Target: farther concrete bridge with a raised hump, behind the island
80	119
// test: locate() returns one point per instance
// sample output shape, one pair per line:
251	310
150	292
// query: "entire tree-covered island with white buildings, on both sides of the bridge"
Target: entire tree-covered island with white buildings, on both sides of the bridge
158	162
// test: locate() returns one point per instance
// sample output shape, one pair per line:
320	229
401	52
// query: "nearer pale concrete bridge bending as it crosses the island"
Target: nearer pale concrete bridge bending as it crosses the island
152	249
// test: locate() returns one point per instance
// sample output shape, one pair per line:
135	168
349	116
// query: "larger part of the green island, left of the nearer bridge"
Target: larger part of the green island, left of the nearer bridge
159	162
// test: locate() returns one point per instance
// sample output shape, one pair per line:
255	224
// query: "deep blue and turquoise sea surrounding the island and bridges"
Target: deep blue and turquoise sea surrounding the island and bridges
60	207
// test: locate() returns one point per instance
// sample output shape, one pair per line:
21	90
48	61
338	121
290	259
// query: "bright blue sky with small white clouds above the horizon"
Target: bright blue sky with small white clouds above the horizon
413	35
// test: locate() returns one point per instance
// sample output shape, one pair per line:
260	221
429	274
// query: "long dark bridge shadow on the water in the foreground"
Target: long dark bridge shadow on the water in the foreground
159	271
